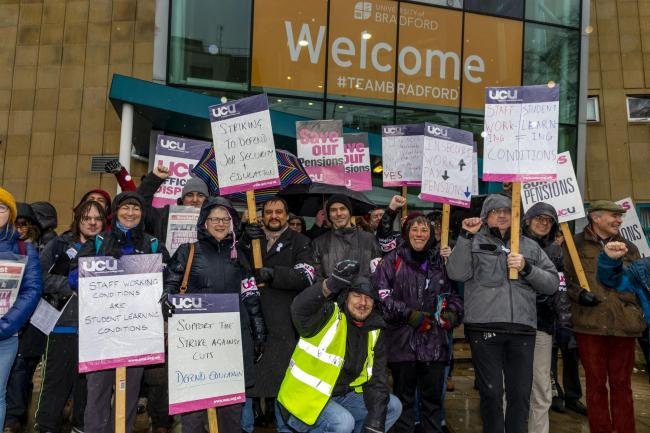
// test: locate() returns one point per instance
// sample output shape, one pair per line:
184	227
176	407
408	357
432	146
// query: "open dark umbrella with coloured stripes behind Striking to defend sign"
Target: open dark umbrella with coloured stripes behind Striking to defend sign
290	171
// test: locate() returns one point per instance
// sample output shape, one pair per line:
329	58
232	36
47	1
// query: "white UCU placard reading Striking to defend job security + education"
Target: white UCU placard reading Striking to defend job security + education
243	145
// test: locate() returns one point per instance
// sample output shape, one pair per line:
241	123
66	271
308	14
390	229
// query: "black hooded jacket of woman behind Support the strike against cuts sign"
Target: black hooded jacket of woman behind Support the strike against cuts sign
215	270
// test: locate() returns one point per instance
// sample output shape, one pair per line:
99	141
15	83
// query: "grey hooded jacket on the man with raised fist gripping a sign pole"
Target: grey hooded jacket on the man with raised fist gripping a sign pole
492	301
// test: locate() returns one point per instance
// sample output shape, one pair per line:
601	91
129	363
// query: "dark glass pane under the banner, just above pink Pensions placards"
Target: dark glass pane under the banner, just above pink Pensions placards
362	117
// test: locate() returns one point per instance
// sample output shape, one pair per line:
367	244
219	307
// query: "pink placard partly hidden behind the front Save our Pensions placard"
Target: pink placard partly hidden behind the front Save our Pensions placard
357	162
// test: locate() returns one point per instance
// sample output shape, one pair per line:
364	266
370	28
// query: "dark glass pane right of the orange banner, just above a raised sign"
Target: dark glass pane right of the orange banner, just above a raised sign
551	54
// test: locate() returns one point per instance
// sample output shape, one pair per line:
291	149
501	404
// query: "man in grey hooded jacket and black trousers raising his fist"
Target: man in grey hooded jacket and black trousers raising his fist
501	314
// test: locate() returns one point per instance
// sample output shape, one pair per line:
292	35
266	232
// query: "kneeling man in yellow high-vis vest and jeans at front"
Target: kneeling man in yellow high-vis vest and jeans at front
337	379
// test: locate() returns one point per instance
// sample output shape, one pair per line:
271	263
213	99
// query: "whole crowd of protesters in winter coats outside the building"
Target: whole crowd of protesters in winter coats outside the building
399	293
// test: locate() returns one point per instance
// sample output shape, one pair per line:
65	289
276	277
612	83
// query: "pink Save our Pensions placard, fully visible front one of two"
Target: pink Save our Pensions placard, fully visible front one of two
320	149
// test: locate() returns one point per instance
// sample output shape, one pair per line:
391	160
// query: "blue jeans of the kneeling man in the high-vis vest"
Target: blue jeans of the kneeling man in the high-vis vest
346	414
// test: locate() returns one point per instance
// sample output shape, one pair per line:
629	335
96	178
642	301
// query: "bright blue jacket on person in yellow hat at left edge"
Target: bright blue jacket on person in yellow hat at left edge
31	285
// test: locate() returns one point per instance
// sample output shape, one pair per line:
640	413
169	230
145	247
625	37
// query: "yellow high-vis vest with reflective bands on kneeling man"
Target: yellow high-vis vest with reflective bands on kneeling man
315	366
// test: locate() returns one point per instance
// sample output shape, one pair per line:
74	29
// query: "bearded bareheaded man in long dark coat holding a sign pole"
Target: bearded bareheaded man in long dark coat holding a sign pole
288	269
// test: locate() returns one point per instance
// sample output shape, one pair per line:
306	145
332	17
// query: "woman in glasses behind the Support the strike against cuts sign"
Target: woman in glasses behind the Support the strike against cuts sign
220	266
